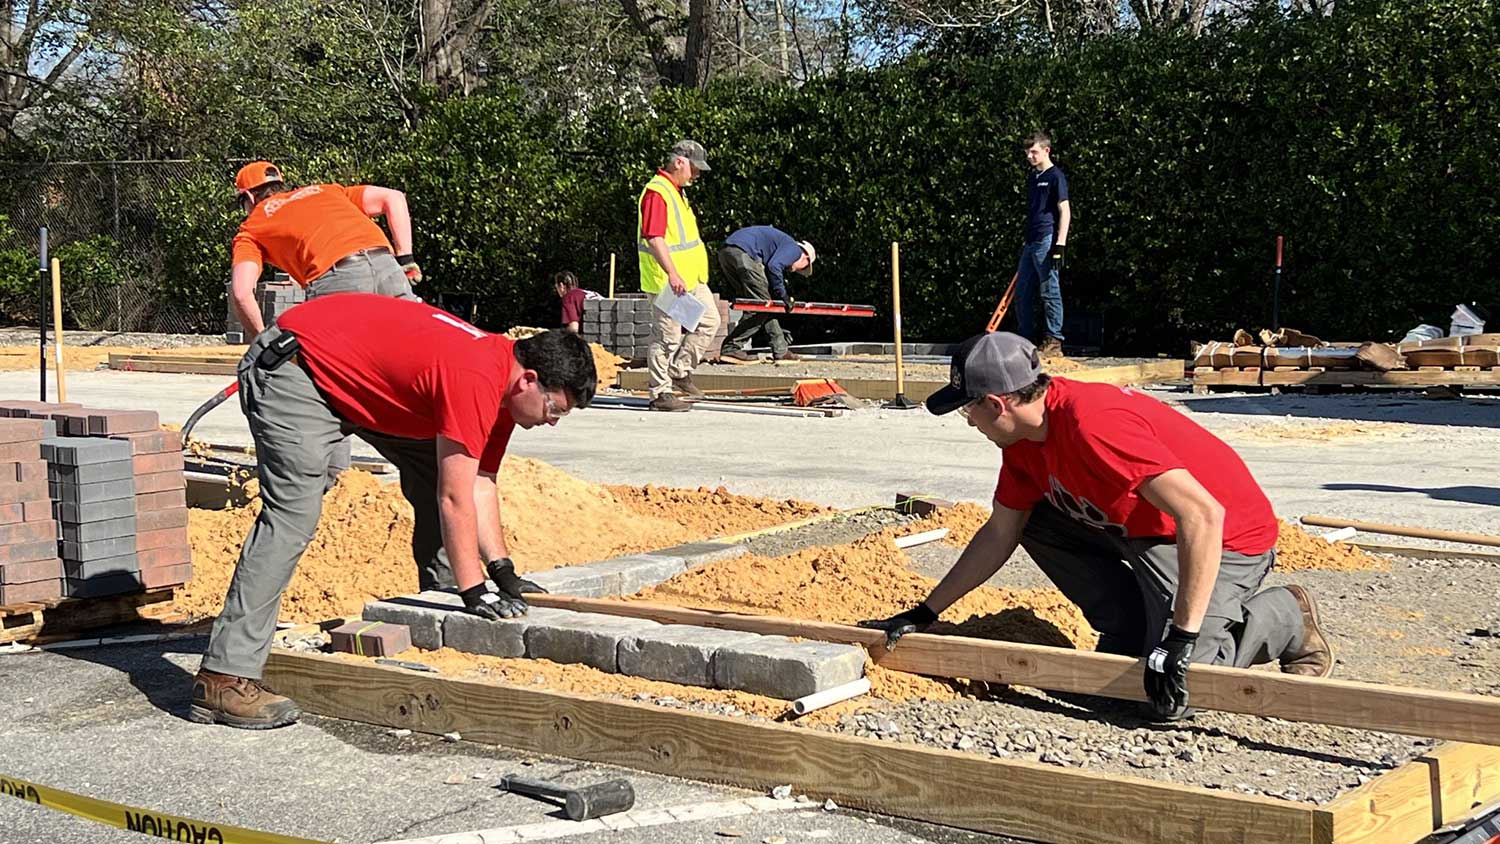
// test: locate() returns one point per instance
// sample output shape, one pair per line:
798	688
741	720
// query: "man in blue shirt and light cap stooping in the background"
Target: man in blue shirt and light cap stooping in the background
757	260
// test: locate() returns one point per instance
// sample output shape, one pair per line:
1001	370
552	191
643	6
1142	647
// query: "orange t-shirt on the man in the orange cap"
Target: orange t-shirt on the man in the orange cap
307	232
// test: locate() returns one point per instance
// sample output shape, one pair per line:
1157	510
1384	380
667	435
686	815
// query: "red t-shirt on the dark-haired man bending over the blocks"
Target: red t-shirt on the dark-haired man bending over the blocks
409	370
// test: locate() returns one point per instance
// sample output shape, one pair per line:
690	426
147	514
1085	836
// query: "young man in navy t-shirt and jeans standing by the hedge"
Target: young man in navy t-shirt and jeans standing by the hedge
1048	220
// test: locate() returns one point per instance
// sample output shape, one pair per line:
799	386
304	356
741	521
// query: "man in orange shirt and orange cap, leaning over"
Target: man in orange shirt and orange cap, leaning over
325	239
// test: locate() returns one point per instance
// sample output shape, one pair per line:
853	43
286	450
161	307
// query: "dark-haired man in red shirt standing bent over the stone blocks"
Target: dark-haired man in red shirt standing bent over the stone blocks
437	398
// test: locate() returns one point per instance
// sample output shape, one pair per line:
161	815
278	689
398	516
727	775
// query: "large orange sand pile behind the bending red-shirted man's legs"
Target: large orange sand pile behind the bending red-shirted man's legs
362	549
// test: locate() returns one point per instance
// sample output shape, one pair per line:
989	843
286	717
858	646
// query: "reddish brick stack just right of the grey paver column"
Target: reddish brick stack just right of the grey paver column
161	507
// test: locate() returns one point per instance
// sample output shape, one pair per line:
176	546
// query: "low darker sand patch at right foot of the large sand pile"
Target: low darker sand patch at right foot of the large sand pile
713	512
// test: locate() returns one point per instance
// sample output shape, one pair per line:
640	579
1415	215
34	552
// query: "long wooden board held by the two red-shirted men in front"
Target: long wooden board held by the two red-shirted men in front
1345	704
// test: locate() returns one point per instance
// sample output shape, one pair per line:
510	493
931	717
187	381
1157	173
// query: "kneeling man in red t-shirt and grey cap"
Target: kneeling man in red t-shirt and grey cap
1144	519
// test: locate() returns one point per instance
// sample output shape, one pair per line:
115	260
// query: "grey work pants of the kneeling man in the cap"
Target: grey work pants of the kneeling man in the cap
1126	588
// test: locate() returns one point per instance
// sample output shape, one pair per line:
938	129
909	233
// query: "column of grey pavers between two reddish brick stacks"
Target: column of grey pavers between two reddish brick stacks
94	483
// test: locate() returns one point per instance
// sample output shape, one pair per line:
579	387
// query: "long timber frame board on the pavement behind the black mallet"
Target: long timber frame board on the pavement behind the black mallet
1027	800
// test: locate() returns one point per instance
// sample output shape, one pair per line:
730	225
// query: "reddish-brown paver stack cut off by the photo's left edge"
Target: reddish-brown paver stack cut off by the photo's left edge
29	564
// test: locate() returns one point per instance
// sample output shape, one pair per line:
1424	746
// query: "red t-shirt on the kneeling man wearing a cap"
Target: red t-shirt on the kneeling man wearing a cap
1103	441
